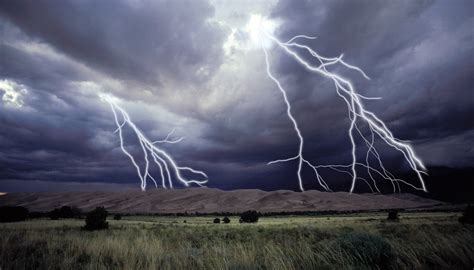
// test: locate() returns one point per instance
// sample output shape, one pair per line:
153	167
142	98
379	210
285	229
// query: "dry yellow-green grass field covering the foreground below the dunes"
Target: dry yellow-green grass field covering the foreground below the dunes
417	241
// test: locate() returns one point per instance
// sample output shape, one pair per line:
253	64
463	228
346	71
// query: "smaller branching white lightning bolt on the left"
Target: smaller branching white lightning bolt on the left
165	163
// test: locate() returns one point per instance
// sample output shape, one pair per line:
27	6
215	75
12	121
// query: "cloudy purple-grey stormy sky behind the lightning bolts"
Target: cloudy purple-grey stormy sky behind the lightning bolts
194	66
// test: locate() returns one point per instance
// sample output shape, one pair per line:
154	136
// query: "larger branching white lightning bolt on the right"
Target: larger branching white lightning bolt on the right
357	113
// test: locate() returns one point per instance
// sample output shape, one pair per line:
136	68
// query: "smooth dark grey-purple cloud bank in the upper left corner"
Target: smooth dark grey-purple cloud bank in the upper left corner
131	40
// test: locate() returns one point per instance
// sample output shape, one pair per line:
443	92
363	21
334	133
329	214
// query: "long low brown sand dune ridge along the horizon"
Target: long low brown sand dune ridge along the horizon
206	200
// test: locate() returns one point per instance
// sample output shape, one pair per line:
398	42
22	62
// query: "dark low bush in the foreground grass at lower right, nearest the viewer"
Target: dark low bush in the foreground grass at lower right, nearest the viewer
365	249
